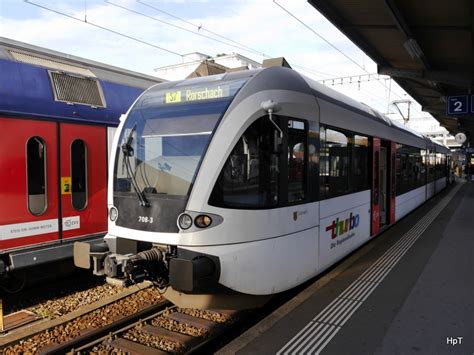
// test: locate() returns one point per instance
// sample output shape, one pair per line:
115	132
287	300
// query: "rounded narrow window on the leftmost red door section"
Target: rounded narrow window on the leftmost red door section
36	175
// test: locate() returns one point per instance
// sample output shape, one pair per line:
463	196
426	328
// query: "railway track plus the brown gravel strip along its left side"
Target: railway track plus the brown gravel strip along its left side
139	323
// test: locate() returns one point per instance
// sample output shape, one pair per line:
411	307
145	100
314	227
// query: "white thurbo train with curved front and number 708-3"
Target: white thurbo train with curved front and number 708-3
228	189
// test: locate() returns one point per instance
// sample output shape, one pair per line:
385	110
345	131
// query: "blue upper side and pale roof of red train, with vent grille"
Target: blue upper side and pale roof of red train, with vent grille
43	84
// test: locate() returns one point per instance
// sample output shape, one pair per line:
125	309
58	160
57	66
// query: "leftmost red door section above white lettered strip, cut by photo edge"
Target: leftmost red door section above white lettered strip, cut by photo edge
28	183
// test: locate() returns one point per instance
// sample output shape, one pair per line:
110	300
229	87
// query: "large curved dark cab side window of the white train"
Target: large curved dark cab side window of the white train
250	176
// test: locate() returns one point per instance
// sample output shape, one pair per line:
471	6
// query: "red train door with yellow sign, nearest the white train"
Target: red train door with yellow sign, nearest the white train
83	180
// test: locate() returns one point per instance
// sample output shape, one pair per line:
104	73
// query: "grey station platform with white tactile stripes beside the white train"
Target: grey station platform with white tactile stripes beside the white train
409	291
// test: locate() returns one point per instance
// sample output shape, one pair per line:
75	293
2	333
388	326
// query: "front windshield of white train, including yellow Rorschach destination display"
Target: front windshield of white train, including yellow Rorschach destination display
165	137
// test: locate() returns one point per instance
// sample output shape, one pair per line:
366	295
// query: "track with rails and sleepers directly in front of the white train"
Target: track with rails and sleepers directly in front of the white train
163	330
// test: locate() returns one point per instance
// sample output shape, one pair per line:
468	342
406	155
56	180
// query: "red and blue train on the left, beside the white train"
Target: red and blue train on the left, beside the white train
58	114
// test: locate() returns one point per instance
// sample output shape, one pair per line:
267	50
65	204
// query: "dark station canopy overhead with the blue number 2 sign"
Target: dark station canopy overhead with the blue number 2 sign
426	46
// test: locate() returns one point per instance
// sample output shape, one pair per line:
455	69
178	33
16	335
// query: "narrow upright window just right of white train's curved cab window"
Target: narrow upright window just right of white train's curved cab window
296	161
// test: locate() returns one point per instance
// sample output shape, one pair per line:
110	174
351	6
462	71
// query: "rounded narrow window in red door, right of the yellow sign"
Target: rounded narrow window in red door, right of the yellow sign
79	174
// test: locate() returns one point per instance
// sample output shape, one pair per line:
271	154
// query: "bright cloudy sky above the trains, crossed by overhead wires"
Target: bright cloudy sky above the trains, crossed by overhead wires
164	30
